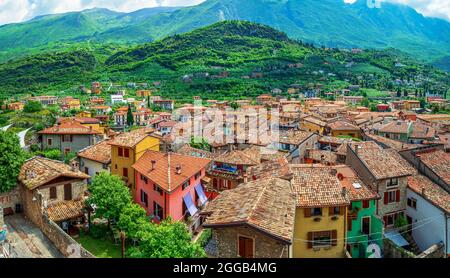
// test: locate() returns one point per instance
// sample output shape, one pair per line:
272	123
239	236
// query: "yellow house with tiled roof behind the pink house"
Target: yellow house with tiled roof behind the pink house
127	148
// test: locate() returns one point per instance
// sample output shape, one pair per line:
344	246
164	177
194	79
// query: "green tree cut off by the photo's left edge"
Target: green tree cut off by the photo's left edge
11	159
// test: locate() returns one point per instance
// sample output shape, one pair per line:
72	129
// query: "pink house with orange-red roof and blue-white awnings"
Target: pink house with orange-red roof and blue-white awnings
170	185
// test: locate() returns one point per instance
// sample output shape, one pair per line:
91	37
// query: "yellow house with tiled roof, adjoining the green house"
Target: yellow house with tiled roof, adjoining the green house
320	219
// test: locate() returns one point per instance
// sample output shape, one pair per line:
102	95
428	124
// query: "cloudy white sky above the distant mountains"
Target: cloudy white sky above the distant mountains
21	10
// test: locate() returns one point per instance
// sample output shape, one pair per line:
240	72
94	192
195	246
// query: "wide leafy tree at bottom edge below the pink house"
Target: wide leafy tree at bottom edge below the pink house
166	240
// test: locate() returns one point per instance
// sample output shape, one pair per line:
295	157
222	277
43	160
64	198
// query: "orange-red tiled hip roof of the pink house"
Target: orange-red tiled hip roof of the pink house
164	174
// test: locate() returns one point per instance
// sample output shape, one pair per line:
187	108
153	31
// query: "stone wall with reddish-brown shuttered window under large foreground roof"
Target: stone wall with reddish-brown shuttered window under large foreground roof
264	246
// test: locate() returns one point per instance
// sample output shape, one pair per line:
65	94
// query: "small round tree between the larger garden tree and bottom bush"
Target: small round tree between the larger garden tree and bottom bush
132	219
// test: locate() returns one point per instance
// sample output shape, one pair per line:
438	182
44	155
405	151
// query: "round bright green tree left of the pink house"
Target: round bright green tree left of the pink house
109	195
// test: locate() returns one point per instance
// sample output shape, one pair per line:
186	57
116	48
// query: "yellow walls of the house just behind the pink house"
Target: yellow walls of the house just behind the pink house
119	163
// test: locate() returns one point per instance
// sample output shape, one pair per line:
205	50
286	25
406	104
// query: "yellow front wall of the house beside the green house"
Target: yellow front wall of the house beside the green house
306	225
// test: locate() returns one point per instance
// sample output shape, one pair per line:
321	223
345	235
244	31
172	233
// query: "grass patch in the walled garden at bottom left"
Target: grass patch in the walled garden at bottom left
101	248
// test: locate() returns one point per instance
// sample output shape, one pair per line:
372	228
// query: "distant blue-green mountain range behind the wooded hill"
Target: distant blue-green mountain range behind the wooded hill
327	22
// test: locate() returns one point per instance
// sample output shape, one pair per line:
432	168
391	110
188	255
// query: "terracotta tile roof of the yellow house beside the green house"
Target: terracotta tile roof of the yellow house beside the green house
317	186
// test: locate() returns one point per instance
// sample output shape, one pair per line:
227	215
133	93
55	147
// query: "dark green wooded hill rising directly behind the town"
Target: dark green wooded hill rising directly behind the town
229	59
